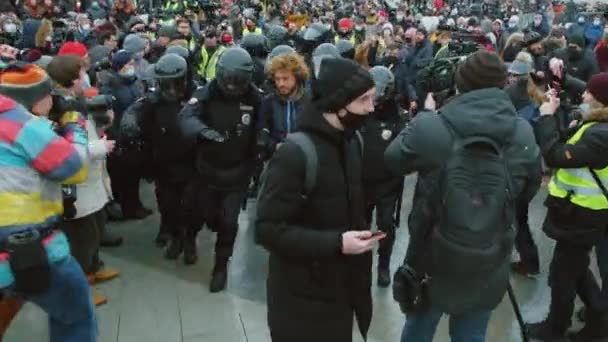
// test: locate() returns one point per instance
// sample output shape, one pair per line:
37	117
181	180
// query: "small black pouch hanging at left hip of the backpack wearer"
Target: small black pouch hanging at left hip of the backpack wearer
409	291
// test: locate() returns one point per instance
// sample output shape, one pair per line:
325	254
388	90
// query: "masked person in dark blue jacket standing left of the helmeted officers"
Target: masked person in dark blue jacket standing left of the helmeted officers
124	163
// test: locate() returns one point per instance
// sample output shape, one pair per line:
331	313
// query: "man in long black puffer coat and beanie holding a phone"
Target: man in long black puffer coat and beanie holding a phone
320	253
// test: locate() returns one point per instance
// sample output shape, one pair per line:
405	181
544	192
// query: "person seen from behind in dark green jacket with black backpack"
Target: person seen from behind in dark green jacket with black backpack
473	157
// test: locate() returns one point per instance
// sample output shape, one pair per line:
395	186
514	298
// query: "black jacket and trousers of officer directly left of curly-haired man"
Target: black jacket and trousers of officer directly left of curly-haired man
224	169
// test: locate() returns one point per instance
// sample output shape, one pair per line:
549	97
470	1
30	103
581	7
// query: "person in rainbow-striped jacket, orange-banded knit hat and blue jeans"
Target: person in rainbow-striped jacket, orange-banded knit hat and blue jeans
36	161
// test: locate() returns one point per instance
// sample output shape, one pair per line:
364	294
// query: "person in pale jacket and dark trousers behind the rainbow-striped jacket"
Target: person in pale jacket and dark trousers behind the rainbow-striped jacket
84	217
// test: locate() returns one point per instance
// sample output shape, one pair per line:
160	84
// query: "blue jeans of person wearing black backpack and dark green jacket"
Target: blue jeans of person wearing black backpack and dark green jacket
463	328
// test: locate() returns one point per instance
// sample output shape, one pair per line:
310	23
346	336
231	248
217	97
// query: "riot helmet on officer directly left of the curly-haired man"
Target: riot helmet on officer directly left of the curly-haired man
234	72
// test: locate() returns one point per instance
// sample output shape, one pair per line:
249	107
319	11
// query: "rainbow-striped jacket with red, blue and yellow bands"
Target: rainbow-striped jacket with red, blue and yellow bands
34	162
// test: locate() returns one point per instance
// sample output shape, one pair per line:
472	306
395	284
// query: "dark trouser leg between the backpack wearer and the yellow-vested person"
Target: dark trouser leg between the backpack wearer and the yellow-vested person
524	243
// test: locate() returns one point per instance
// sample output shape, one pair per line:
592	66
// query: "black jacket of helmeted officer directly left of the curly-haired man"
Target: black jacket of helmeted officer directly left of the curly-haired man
226	165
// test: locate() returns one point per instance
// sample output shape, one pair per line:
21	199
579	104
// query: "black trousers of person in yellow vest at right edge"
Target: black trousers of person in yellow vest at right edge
570	275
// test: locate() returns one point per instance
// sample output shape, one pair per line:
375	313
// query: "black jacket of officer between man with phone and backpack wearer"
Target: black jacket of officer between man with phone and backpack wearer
379	131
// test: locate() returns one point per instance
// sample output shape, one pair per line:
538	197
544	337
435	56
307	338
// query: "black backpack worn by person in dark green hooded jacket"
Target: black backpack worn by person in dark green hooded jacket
475	202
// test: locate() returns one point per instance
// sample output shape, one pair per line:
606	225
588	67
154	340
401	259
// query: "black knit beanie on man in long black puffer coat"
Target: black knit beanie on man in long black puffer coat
339	83
